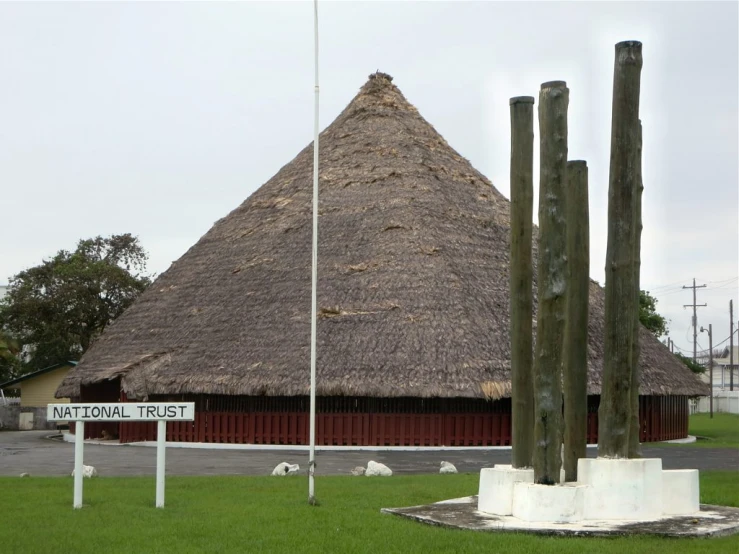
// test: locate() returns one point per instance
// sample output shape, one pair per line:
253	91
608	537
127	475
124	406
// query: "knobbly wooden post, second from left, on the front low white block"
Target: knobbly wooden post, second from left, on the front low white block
551	282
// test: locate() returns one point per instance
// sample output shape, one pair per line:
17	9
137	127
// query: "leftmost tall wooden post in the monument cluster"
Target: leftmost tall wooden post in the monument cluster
522	205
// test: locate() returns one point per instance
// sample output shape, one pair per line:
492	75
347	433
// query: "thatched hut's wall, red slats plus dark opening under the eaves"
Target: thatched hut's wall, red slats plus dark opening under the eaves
375	422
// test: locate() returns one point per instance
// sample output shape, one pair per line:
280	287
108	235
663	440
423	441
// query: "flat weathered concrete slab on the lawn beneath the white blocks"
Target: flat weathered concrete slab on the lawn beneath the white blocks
462	513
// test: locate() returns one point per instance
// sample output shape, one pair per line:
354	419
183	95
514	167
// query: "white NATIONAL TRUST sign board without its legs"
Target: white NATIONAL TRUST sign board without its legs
123	411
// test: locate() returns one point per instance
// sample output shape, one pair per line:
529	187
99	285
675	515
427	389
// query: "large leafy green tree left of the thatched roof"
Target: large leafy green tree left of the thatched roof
58	308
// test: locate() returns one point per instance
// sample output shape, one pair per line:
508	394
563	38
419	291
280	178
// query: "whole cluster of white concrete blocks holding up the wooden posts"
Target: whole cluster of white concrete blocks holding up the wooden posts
635	490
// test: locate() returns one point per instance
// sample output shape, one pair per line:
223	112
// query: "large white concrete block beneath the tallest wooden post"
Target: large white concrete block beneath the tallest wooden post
621	489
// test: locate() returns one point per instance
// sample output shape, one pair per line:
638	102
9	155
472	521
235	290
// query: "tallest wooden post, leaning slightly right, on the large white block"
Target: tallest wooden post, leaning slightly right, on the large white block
614	414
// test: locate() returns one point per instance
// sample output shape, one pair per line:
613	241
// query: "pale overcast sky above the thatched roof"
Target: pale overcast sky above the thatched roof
159	118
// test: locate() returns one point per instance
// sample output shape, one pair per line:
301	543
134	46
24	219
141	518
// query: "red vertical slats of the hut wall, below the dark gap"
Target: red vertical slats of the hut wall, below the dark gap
662	418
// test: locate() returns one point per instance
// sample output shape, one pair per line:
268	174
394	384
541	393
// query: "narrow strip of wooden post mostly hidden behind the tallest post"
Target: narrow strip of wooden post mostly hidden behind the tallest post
634	427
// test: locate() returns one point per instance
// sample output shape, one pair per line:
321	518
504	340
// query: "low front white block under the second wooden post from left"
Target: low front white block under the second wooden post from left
556	504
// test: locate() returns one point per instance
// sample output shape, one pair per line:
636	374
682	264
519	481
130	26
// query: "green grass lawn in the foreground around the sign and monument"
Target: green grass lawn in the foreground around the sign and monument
271	514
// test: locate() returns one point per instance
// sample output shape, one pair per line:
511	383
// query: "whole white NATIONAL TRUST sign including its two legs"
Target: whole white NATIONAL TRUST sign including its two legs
161	412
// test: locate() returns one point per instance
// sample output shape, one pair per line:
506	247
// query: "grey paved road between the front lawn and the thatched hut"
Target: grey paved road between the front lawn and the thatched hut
34	453
